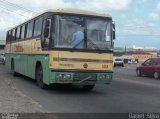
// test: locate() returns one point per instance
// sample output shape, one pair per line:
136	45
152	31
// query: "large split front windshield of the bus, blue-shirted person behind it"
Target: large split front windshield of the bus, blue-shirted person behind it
84	32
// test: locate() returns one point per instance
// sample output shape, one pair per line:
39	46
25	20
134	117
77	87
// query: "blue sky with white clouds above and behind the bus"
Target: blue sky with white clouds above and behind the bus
137	21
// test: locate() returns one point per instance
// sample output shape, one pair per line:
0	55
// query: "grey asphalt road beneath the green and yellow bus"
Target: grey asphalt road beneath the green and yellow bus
127	93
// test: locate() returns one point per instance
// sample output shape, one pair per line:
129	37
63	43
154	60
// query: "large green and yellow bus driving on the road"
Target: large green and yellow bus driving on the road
63	46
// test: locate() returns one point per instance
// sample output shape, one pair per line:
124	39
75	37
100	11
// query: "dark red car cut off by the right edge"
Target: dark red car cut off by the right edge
150	67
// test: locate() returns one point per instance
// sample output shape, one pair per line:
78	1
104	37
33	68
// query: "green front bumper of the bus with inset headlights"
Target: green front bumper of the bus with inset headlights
83	78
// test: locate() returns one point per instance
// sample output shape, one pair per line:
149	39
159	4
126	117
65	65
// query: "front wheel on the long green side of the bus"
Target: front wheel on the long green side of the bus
39	77
